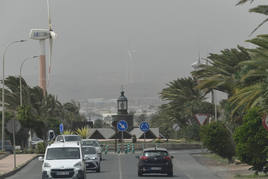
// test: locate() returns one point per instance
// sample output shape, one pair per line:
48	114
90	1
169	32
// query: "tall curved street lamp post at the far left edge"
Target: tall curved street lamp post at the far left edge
3	92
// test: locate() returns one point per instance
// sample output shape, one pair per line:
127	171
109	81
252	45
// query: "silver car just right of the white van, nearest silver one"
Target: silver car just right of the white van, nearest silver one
91	157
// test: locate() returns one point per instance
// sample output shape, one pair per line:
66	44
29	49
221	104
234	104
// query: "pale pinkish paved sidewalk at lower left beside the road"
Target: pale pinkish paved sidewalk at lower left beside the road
7	163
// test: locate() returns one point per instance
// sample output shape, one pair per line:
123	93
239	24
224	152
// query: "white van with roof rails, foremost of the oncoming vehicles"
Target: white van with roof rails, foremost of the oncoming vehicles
63	160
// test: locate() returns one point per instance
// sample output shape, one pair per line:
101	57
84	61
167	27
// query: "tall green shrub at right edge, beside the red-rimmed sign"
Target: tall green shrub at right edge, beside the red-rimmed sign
251	141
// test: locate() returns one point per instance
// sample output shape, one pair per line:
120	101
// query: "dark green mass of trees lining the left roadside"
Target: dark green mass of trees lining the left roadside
38	113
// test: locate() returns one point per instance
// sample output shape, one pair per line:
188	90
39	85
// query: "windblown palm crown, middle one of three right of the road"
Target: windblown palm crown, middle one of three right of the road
222	71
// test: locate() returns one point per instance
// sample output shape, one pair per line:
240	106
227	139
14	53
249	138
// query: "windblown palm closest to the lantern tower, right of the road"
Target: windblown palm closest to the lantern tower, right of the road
184	101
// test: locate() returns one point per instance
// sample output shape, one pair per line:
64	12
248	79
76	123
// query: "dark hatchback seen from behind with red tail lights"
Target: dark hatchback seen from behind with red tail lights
155	160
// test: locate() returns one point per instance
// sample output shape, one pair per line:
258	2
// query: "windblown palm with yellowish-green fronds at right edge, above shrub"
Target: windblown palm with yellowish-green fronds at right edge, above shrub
253	89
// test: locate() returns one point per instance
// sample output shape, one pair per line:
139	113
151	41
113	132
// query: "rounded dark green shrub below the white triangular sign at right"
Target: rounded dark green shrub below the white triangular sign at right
217	138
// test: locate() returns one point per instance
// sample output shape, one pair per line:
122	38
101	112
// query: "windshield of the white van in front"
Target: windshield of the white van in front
63	153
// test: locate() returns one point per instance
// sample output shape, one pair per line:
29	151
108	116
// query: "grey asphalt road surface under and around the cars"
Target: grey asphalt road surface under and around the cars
125	167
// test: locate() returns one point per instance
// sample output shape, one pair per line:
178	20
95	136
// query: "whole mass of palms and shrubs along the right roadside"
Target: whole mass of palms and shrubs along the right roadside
240	73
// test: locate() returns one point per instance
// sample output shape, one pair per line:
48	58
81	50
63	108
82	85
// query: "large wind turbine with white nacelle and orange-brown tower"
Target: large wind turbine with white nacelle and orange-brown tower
42	35
